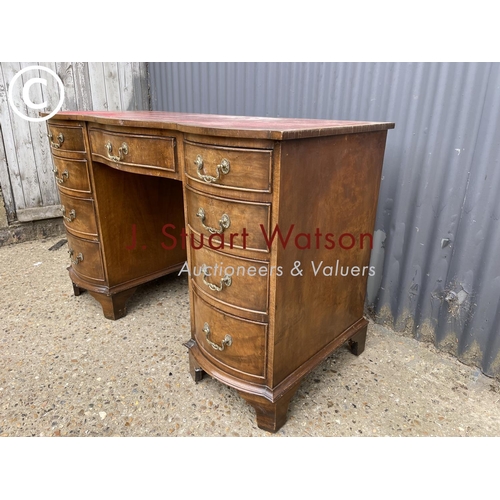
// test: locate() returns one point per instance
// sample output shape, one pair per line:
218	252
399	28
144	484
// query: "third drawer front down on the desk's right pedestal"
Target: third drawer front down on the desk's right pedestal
231	281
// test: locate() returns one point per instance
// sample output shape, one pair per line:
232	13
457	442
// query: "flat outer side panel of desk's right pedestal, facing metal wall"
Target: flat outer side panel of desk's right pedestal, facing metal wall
337	181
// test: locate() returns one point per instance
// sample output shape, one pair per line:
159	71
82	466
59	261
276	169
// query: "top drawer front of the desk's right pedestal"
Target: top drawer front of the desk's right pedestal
235	168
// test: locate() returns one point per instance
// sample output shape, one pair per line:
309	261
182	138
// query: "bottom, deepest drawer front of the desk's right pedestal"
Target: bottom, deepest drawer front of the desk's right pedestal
230	341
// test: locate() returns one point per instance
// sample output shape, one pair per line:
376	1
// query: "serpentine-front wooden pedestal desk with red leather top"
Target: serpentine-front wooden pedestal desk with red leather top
274	216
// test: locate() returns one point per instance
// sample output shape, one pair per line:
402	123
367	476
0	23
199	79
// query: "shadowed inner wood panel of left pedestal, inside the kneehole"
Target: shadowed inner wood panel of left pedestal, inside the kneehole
133	212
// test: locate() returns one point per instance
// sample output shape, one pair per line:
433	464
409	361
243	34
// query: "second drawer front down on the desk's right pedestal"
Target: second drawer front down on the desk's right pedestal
221	221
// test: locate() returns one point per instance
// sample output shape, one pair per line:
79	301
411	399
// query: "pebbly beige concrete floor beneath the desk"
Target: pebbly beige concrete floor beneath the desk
67	371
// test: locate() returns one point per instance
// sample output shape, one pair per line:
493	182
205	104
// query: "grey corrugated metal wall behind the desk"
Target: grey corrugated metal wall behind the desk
437	237
